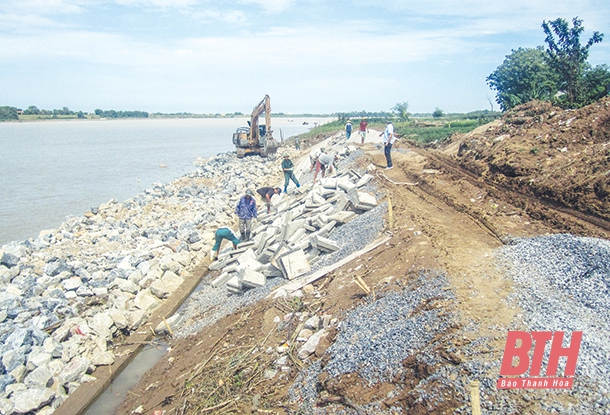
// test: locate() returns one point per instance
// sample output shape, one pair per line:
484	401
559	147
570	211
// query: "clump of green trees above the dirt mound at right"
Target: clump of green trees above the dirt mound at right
559	74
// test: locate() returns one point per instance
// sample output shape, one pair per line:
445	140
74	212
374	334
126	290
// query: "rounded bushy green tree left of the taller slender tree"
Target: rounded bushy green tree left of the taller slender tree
523	76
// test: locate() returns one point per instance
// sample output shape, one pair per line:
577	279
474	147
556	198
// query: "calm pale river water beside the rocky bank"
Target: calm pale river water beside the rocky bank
50	170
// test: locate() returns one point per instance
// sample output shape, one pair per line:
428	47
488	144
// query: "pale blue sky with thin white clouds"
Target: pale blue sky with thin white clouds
206	56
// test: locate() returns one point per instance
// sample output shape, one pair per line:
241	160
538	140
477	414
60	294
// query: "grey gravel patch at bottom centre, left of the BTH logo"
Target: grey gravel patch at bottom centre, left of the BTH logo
375	339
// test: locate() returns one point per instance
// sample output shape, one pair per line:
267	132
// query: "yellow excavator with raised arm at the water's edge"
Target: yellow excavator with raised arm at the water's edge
256	139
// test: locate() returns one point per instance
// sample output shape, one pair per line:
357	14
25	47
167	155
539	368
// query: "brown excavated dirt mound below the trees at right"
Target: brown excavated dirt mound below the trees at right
561	156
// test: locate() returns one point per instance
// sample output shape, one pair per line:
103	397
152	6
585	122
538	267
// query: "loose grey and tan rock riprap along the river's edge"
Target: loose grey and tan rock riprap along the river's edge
65	295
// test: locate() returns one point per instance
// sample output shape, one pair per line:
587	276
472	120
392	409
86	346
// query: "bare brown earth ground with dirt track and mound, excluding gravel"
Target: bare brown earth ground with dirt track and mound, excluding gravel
448	213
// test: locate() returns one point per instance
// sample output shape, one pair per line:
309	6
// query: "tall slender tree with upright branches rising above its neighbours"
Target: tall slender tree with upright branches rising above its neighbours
567	57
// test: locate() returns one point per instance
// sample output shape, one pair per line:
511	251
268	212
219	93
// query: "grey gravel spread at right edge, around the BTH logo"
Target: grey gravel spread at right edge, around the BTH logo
562	284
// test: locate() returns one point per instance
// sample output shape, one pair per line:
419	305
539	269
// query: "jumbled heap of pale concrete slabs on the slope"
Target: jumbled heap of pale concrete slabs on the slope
290	239
